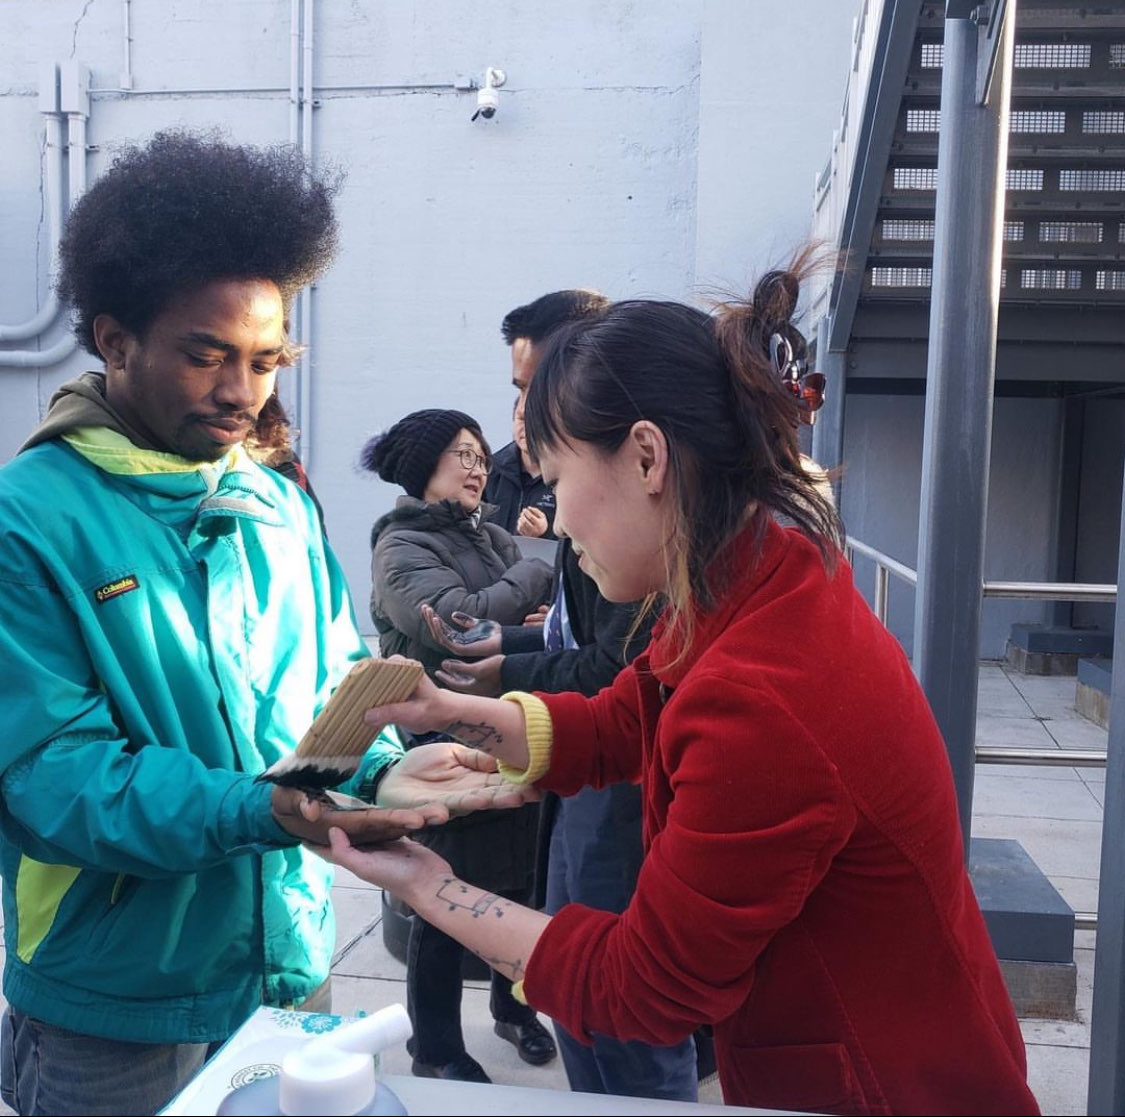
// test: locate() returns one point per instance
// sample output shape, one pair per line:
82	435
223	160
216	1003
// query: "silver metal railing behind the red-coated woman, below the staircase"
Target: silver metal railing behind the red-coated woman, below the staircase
1029	591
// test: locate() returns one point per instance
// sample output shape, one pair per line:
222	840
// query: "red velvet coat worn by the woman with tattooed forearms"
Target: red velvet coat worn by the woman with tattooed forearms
805	888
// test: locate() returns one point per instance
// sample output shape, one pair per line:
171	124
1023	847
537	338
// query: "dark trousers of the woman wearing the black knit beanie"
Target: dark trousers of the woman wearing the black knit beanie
434	995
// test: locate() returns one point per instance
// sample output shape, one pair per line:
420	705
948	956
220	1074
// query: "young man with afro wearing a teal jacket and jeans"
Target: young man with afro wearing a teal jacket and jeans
172	621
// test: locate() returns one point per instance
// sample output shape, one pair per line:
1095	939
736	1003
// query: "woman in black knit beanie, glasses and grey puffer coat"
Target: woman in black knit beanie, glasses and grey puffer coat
436	548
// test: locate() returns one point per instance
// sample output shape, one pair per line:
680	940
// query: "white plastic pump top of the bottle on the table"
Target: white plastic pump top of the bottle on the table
335	1074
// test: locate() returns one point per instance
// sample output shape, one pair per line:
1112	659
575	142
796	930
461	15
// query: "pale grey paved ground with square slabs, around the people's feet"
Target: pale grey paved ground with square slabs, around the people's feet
1055	813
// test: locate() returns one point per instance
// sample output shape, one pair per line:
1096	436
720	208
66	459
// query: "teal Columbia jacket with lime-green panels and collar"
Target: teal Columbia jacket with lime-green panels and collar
167	632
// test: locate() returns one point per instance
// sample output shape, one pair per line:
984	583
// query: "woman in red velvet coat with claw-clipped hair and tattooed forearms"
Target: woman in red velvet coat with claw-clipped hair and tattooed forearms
804	889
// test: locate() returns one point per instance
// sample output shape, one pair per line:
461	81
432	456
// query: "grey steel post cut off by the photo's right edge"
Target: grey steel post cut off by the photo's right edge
1108	1019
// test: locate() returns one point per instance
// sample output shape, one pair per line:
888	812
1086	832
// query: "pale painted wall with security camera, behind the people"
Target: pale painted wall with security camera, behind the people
658	148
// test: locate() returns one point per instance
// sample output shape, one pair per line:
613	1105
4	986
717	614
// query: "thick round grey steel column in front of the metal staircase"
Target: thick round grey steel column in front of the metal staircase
957	448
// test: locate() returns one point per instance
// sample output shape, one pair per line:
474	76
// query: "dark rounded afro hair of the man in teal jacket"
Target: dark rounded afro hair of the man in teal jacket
187	210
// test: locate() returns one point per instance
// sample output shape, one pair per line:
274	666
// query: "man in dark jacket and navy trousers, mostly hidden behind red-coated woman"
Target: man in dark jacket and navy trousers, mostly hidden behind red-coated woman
591	842
